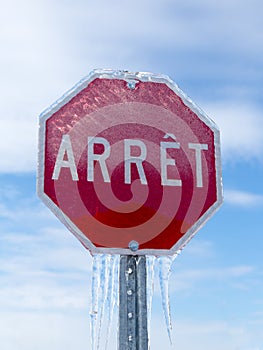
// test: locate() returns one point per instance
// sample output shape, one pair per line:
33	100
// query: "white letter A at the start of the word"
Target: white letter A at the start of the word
65	149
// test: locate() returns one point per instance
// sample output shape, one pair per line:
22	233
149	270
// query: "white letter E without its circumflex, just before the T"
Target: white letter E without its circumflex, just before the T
168	161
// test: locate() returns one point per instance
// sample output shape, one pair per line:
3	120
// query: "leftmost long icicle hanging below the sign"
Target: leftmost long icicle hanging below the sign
95	298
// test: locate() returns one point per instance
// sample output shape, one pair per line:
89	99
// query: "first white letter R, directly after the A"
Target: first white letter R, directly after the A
101	158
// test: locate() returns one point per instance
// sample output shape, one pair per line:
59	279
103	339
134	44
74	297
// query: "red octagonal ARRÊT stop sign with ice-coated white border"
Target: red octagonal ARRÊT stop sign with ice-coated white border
129	164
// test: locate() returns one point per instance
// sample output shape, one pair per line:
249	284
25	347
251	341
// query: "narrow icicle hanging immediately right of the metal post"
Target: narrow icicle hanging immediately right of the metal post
150	263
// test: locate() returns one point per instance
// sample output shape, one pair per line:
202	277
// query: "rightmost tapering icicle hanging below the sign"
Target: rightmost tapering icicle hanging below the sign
165	263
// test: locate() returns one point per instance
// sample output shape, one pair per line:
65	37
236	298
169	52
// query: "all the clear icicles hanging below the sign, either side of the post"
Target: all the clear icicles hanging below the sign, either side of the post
105	287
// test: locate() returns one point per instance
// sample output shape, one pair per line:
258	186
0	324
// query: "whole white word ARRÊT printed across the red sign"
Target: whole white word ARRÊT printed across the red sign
135	153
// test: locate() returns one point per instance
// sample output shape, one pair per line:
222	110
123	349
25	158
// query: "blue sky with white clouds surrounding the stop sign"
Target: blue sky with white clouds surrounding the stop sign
213	51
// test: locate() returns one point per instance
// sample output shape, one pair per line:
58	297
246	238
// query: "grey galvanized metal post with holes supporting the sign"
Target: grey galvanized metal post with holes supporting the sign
133	332
